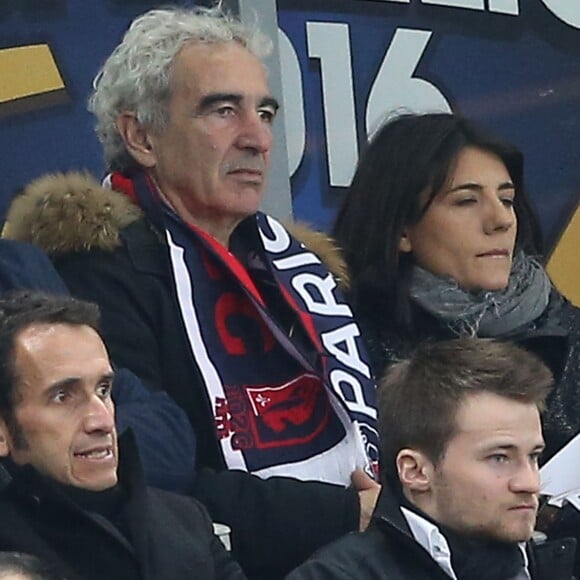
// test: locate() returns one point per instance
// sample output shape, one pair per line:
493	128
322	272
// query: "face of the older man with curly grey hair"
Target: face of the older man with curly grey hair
212	159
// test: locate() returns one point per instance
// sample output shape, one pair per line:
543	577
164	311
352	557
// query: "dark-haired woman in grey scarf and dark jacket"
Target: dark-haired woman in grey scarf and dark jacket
441	241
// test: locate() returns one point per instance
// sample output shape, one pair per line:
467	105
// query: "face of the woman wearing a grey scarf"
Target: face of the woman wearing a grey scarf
469	230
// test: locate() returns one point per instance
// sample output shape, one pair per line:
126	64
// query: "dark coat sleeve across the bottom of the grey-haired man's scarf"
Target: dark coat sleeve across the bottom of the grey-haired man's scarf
279	522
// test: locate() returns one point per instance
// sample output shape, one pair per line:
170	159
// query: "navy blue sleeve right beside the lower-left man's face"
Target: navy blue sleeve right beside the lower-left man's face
164	435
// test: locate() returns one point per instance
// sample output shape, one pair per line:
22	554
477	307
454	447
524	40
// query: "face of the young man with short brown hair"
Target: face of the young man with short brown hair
487	483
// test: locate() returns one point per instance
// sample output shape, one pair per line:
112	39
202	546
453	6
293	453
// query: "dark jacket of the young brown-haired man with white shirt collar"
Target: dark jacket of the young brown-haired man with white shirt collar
387	550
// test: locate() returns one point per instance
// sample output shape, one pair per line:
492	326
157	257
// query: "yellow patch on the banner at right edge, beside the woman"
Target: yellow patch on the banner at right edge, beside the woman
564	264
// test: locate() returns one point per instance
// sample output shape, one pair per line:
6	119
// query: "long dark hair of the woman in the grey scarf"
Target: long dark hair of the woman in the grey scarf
409	159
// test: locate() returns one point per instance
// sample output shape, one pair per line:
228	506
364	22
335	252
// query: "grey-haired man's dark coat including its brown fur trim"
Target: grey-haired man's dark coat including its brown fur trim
107	252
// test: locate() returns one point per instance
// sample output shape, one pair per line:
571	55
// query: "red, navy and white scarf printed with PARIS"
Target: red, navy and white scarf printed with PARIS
282	405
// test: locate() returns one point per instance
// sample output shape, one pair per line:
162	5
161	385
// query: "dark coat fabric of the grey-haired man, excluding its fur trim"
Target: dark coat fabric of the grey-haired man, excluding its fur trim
276	523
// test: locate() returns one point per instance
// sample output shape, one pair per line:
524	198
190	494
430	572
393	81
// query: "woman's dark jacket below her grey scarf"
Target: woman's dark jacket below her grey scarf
554	336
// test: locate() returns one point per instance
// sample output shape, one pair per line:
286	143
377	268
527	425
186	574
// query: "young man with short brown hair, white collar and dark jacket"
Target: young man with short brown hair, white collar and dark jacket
461	439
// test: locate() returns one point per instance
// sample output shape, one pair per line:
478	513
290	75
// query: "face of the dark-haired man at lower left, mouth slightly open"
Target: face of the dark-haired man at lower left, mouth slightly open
63	418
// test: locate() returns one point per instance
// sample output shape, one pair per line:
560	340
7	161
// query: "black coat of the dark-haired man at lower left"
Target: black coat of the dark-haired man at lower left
159	536
